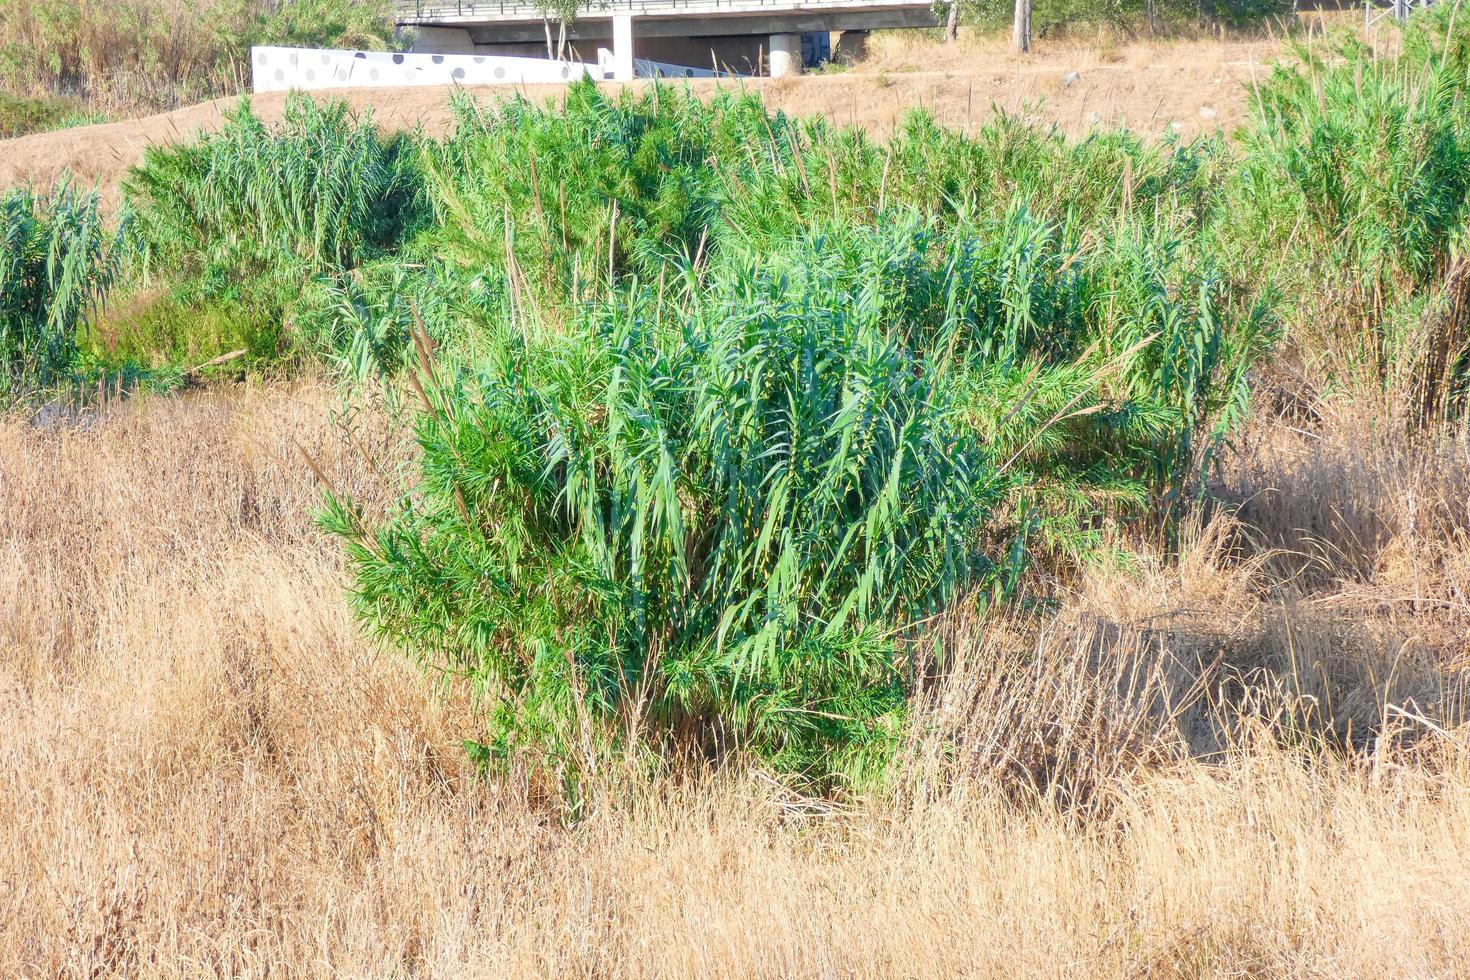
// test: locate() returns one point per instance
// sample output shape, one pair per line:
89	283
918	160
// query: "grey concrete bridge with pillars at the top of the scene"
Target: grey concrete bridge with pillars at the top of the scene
742	36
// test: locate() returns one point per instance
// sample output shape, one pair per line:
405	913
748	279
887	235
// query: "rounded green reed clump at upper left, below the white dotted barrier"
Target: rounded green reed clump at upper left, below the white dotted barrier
248	218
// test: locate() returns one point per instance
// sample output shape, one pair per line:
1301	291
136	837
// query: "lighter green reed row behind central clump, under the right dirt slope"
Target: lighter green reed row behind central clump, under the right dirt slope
820	173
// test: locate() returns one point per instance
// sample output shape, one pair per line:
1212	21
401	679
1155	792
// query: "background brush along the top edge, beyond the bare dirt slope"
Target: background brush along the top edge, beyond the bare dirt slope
132	57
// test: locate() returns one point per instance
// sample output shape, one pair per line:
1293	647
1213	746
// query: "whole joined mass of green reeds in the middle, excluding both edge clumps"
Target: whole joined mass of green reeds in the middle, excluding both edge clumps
718	406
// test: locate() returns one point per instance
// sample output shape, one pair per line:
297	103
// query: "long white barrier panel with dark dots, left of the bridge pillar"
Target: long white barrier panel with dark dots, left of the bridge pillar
277	70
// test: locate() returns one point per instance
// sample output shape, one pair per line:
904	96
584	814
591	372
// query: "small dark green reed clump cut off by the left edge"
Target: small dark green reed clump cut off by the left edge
57	262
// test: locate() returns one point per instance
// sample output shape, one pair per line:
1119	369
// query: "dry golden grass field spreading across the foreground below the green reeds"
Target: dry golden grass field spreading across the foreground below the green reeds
204	771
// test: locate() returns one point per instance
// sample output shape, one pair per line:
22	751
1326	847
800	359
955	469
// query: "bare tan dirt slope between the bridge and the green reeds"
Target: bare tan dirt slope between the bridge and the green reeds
1153	89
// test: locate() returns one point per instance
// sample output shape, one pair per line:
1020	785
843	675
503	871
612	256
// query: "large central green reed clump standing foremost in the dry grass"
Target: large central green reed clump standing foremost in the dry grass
709	514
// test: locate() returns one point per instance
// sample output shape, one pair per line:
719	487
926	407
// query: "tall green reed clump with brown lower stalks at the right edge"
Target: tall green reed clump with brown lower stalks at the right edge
1358	167
